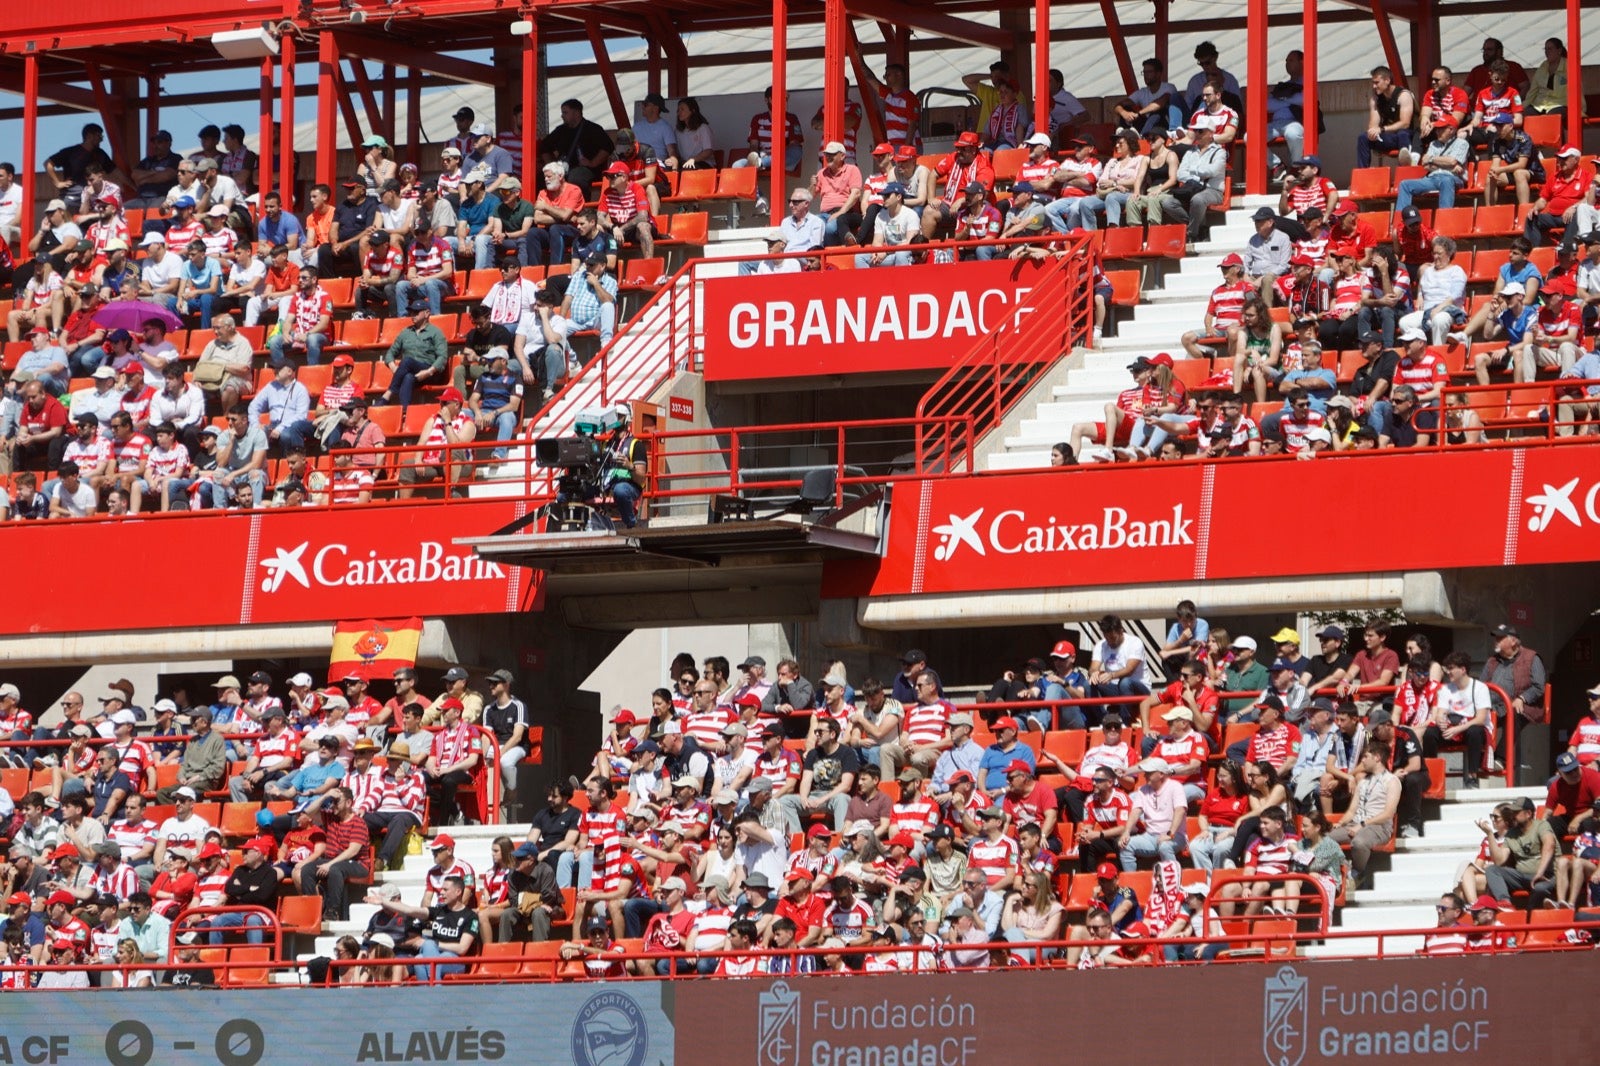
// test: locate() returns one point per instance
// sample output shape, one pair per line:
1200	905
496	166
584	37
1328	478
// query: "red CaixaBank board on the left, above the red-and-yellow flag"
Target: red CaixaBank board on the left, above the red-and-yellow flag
270	567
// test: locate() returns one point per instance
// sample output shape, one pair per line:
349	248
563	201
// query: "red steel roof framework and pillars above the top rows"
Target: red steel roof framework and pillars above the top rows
113	60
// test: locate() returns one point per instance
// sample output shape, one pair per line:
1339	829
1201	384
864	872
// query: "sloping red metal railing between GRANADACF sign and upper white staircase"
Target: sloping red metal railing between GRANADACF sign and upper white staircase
990	382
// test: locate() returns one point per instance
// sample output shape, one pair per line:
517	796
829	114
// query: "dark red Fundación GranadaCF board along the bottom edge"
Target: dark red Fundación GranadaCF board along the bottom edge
1458	1012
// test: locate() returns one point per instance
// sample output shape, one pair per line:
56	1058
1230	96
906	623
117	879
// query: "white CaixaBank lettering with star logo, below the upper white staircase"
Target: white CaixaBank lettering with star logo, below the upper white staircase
1009	534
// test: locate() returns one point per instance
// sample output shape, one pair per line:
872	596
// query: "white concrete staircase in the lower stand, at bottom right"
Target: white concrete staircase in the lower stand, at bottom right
1418	873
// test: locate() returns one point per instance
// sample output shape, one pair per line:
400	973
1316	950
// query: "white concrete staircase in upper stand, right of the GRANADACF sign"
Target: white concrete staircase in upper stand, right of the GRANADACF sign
1158	323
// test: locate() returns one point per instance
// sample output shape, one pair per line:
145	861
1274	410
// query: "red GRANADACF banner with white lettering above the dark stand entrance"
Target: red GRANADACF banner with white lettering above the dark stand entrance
842	323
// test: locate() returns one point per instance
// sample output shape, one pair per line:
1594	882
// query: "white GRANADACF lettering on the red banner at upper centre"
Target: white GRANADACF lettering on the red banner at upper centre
873	319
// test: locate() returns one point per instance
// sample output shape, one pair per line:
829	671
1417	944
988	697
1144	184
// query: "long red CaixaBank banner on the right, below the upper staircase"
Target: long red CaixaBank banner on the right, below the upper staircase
1151	524
